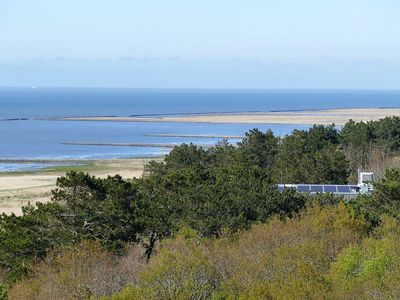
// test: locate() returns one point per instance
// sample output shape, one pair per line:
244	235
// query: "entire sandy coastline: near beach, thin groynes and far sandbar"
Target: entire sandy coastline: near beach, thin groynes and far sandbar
20	188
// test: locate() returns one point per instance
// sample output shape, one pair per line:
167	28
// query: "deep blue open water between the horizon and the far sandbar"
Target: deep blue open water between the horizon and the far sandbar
19	103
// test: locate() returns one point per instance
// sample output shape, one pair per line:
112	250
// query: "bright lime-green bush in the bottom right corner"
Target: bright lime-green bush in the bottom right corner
368	270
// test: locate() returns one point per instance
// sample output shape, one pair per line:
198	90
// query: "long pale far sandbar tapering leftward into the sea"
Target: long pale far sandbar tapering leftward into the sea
323	117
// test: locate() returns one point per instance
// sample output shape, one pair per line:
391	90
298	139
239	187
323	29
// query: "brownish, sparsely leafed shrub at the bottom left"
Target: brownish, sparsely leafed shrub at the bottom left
81	272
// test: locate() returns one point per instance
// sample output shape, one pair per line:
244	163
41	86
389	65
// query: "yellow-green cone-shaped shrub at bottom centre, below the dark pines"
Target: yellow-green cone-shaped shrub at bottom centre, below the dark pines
180	270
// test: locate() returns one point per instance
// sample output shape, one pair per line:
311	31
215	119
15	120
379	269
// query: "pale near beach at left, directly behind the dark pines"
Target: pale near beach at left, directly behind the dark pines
19	189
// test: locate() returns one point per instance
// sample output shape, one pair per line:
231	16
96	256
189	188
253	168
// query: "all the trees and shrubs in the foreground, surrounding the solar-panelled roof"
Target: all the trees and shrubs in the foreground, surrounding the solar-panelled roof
225	230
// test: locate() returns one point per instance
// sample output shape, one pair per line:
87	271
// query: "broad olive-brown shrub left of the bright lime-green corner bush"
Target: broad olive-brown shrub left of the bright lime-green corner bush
287	258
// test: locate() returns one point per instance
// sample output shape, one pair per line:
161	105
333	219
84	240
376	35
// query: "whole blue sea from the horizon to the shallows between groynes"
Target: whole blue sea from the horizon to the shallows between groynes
29	132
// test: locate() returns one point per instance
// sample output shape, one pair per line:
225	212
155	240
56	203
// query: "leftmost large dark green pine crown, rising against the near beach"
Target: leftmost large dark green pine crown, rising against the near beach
100	209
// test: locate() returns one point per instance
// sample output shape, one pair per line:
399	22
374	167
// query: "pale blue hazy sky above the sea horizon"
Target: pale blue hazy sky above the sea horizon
212	44
